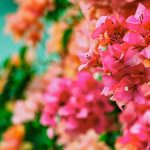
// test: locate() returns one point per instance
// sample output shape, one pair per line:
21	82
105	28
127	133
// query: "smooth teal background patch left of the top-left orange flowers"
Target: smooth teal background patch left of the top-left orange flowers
7	45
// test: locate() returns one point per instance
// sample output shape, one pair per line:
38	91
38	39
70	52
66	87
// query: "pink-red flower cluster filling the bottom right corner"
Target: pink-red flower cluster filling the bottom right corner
136	123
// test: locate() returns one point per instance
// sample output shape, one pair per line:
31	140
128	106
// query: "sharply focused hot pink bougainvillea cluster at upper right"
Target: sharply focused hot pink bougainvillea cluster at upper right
121	52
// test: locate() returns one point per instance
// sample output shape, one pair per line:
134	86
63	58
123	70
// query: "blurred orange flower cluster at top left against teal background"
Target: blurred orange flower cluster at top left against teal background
26	21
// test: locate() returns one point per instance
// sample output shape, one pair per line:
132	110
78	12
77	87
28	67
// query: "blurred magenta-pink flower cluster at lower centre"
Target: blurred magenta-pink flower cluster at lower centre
76	103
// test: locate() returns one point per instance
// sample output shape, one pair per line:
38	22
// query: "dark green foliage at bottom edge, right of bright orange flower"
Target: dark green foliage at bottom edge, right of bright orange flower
36	134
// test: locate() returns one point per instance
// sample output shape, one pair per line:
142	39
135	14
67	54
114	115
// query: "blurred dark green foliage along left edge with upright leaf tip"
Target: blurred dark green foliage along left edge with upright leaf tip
17	80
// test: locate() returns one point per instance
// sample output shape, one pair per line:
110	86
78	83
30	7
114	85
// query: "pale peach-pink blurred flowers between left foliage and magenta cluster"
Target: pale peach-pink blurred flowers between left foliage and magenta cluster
25	110
